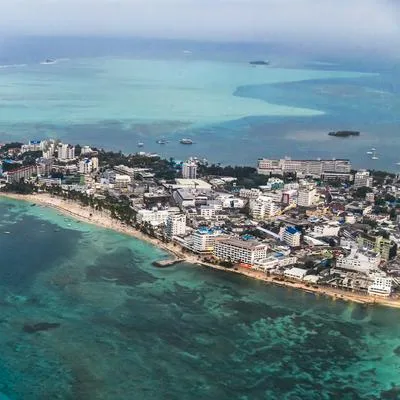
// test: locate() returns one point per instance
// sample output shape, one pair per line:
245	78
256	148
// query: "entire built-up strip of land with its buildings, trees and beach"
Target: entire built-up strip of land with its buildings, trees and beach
314	225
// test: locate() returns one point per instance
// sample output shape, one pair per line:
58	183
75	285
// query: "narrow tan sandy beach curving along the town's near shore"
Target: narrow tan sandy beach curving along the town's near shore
103	219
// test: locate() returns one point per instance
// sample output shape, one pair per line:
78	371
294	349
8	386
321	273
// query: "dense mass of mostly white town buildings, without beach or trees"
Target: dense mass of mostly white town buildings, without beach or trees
298	228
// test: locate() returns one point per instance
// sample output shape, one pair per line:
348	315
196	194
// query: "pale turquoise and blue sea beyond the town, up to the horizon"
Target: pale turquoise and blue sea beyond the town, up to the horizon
116	93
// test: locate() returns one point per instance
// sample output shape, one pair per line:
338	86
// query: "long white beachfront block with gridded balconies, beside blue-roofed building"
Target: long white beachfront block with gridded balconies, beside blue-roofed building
237	250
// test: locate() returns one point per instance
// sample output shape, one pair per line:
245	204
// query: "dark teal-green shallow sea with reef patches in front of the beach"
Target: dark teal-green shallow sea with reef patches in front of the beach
131	331
